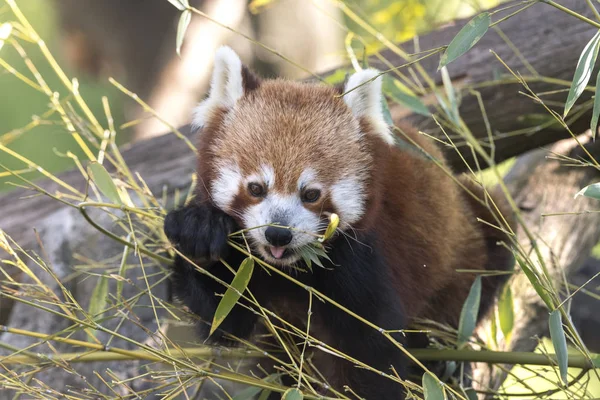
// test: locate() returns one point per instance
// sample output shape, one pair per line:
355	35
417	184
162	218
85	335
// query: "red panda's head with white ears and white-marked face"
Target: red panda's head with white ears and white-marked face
287	153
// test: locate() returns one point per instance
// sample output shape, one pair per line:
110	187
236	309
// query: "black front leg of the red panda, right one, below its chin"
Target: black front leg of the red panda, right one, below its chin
359	280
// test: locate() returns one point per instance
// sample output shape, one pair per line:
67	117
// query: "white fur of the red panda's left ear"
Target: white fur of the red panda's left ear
226	86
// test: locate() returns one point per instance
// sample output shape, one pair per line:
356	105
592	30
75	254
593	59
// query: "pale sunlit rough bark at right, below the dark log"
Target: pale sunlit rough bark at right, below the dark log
542	184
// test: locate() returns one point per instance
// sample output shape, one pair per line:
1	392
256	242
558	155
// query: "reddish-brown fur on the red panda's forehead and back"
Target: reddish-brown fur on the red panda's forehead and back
426	226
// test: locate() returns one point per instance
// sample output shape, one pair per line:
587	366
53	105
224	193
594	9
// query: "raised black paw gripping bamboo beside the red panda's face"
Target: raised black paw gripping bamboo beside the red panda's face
199	231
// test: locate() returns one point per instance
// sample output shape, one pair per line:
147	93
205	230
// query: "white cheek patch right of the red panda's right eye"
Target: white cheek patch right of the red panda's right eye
349	198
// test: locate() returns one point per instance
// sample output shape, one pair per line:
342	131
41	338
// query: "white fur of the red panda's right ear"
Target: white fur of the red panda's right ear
365	101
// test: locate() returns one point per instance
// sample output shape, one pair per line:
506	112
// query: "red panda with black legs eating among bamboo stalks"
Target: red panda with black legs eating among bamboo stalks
291	154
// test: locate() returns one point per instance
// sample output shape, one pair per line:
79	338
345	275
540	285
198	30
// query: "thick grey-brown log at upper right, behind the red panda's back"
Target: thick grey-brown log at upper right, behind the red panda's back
551	42
